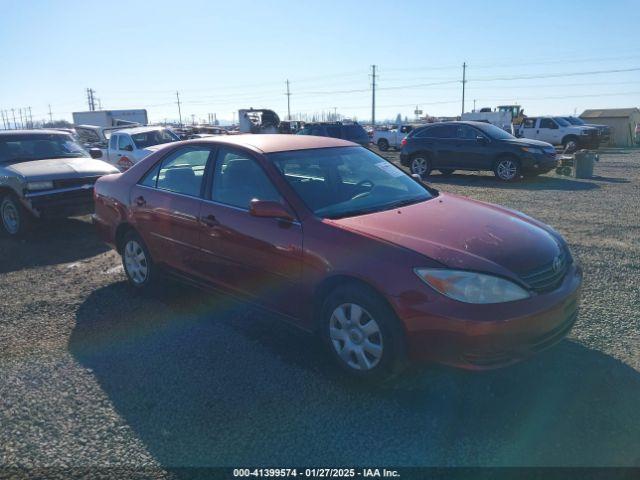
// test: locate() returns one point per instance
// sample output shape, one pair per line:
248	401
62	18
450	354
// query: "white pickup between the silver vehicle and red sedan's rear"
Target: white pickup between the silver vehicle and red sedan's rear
128	147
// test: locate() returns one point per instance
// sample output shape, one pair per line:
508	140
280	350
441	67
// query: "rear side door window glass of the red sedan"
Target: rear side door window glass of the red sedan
183	171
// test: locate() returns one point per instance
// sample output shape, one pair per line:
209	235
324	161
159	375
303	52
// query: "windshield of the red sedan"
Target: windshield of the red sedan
347	181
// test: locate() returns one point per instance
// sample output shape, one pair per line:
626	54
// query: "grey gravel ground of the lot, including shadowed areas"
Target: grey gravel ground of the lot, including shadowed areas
91	374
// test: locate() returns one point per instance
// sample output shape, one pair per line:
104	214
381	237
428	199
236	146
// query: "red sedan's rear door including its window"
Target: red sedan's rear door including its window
166	203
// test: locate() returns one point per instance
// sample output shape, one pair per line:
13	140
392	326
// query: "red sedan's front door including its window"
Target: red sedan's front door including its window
256	258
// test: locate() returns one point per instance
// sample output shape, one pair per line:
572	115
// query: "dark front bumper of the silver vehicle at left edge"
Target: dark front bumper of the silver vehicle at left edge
63	203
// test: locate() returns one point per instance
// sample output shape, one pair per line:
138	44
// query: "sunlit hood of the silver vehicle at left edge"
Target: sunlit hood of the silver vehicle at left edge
59	168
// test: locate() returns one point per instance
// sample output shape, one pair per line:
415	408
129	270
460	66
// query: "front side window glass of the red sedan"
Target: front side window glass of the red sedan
238	179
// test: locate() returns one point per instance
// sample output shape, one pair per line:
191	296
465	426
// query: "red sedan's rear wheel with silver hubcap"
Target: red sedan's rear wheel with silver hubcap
137	263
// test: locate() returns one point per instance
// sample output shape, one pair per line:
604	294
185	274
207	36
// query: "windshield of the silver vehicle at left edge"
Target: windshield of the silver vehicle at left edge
19	148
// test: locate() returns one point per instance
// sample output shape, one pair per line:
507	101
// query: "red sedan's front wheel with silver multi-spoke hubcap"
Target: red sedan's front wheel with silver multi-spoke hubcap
362	334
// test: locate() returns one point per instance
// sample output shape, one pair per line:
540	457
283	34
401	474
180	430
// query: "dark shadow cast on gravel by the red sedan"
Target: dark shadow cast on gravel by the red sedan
203	381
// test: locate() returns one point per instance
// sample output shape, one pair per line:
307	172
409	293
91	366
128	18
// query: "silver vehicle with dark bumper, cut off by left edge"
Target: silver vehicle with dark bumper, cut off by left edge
44	174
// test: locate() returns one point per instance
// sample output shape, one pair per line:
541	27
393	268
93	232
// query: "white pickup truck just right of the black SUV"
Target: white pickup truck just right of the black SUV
557	131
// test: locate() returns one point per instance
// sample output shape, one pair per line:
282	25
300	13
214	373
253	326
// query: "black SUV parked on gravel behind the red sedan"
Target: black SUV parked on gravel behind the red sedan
451	146
